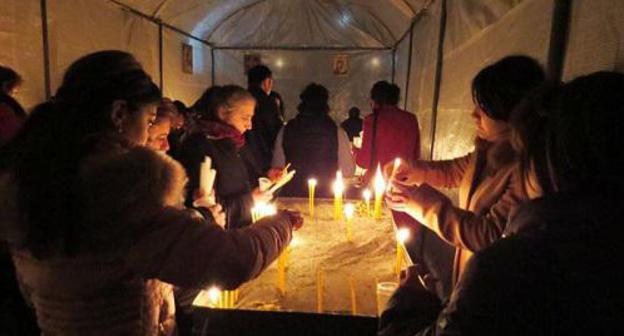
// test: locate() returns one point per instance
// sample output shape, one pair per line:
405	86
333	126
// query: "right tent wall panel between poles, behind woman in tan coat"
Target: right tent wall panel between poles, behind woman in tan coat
525	29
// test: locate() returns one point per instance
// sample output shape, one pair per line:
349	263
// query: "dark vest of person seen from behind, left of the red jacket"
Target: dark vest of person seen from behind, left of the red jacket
310	144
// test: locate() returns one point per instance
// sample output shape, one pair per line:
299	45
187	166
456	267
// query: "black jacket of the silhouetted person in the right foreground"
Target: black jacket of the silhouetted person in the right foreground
554	274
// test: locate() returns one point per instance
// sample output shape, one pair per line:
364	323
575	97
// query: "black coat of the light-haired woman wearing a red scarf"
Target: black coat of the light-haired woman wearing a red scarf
237	174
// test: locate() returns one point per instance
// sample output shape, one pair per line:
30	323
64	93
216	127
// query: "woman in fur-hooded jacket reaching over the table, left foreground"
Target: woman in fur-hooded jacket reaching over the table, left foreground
93	217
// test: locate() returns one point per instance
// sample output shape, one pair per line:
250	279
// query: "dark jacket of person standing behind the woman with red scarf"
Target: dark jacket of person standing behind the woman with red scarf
266	123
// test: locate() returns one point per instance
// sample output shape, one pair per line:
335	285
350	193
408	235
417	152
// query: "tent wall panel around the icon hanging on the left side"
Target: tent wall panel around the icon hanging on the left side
178	85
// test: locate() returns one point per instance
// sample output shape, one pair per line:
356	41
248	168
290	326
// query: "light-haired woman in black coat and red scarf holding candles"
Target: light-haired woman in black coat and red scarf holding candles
226	115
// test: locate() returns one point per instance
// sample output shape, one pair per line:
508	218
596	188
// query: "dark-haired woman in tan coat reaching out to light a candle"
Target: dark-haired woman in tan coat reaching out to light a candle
489	187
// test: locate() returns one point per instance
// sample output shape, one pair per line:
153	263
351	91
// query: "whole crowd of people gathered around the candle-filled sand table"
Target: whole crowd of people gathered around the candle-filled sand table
101	204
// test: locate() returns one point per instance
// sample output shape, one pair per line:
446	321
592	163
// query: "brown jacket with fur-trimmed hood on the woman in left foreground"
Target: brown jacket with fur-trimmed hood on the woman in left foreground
134	244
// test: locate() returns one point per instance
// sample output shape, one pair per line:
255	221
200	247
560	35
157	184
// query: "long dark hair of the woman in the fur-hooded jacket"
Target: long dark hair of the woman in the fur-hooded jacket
46	154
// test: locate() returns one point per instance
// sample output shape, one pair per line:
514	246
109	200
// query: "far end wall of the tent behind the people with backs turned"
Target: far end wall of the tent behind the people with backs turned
293	70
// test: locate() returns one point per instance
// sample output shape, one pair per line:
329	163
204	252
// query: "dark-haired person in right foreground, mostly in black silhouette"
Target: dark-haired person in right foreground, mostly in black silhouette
555	272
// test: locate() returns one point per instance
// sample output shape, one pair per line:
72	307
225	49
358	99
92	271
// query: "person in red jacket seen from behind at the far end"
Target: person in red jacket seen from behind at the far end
388	132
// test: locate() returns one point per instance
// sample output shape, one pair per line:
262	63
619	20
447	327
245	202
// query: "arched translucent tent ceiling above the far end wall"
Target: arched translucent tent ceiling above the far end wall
287	23
